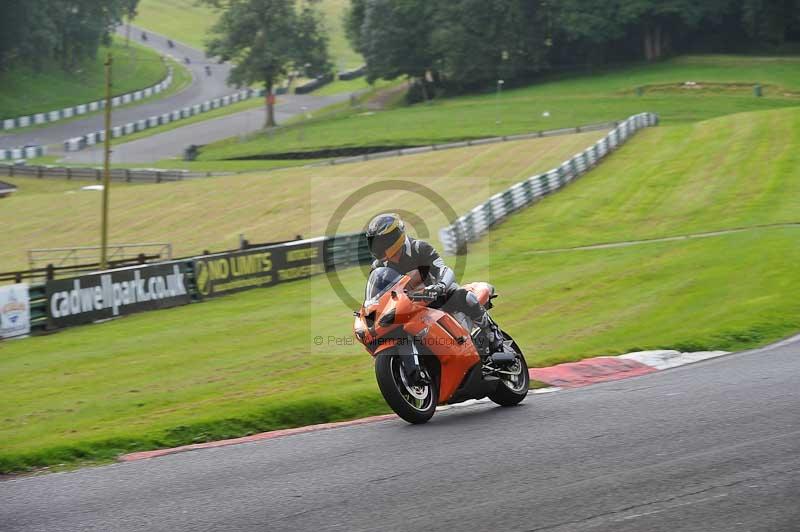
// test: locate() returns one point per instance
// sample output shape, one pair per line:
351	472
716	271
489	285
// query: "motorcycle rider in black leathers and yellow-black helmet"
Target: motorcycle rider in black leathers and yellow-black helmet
392	247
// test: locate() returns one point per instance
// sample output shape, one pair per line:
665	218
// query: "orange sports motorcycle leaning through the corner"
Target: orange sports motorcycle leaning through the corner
425	357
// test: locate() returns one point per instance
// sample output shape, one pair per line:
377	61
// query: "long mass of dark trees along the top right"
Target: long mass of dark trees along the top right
466	43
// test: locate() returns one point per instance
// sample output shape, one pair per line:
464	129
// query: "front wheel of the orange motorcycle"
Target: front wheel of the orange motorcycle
414	403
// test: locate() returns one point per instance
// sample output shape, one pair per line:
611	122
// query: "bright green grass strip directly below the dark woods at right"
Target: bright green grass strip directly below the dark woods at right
570	100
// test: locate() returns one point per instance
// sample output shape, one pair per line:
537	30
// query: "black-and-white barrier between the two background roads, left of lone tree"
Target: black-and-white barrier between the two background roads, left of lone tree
90	139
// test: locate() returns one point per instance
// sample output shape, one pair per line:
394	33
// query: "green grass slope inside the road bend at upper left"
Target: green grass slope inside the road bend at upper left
25	91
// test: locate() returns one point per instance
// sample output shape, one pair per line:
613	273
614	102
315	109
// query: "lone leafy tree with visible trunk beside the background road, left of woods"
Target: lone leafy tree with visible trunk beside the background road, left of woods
266	40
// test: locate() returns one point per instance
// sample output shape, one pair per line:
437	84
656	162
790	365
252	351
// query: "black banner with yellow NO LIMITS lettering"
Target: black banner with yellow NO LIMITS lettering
231	272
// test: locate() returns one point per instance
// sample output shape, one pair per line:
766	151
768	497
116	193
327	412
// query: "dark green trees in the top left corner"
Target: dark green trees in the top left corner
36	32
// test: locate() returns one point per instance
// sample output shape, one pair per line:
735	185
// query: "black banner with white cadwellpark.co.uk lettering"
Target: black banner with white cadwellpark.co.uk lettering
115	293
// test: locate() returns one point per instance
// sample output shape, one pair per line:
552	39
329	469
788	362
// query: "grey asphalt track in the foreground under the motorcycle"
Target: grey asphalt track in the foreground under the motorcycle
713	446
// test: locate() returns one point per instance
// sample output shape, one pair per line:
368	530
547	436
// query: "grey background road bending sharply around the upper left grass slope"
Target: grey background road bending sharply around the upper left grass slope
203	88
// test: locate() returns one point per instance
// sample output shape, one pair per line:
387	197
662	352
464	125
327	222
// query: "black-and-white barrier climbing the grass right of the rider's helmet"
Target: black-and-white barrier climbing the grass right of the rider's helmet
470	227
